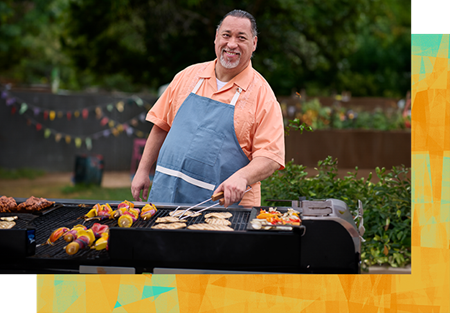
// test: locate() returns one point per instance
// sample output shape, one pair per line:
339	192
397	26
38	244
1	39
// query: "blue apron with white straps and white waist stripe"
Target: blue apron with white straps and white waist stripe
200	151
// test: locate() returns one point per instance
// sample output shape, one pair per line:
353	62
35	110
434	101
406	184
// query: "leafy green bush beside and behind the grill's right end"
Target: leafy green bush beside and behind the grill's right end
386	204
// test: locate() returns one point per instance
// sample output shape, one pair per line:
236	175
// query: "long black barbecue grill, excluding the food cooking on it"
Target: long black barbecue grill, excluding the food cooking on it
327	242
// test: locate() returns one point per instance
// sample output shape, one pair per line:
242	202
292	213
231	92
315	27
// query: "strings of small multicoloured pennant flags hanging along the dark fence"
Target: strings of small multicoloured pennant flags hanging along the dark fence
115	128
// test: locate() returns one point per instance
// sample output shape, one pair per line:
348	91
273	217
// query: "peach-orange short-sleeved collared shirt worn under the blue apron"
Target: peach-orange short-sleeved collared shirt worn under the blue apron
258	121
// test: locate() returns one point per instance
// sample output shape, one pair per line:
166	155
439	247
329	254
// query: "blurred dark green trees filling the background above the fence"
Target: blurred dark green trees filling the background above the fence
362	46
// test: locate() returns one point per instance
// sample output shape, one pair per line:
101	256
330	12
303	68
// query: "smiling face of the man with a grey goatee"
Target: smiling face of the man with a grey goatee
234	43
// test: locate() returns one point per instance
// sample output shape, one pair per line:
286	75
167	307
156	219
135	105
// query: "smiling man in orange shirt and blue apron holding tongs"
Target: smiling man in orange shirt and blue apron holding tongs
217	127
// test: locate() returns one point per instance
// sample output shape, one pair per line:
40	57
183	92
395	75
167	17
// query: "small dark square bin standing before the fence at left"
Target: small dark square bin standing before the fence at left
88	169
